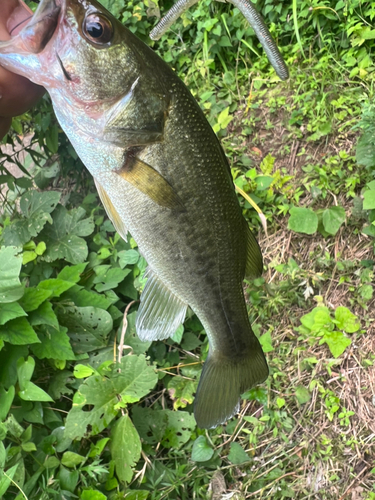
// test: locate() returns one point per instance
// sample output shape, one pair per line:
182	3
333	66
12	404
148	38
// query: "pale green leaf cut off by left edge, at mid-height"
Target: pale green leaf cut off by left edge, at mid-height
10	268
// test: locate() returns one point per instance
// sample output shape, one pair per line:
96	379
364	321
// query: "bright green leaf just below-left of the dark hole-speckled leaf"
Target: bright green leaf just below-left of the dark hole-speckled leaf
54	344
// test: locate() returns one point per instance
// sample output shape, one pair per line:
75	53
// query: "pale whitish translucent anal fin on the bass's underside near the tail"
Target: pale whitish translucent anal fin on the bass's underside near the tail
160	313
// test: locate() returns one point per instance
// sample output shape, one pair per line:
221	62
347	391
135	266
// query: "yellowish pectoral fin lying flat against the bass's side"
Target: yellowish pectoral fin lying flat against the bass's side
146	179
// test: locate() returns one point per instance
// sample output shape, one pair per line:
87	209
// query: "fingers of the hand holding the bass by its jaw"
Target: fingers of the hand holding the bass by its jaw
17	94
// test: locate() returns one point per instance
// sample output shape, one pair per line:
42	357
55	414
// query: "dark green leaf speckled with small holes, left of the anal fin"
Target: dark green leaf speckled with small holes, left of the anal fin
88	327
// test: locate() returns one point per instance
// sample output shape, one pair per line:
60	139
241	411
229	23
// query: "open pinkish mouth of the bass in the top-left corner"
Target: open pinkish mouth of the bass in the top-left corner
37	30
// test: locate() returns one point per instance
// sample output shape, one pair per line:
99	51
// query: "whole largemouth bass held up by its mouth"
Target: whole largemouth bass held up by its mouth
161	175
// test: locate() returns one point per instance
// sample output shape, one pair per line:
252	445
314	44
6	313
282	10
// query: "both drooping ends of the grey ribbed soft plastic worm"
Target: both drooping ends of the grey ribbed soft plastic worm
251	15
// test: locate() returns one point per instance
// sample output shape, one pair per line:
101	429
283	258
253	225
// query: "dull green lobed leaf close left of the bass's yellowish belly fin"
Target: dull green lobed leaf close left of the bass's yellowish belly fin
63	237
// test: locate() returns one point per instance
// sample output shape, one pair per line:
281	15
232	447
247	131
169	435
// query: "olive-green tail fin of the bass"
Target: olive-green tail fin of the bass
223	380
